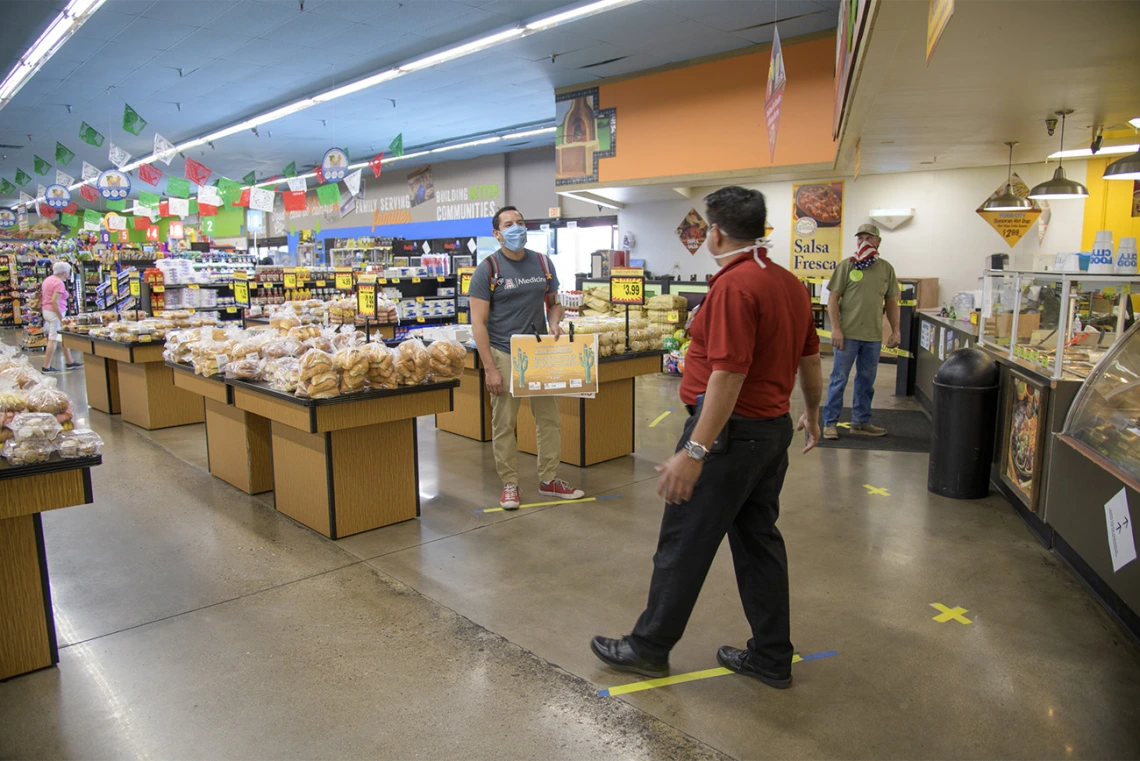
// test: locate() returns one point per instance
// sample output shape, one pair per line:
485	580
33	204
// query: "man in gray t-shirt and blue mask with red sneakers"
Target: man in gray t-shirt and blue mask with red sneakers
514	292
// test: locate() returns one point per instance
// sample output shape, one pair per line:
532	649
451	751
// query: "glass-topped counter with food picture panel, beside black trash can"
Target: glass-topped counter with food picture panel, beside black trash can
1048	331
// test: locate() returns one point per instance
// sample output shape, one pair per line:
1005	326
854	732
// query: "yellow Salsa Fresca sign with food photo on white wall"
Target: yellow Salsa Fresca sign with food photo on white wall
817	228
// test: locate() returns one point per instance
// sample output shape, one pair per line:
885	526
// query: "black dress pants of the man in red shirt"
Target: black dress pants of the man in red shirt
738	494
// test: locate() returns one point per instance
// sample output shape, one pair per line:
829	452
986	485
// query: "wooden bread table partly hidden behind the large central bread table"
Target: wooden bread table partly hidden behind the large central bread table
239	448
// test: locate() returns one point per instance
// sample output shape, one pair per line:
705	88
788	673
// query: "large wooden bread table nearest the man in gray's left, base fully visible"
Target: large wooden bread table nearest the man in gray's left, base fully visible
348	464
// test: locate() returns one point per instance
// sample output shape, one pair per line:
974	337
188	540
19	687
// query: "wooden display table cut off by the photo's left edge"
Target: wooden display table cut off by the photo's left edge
28	628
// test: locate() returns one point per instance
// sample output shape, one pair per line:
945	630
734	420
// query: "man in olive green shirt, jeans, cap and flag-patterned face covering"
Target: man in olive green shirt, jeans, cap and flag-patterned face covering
861	289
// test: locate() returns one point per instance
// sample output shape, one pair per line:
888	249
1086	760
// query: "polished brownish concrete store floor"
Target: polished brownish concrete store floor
196	623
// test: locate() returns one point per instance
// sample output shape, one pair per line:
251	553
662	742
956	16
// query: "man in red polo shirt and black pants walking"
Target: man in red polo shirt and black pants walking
751	338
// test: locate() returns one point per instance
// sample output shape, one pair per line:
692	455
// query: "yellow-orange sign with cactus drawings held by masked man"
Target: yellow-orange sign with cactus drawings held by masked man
553	369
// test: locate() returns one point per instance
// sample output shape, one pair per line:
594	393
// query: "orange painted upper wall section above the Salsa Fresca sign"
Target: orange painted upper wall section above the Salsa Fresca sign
710	118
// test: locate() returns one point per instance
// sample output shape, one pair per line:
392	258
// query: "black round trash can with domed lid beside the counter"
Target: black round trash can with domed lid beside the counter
965	421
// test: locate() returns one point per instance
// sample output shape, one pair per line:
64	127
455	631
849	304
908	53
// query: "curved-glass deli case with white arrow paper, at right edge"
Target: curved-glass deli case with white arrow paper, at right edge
1095	481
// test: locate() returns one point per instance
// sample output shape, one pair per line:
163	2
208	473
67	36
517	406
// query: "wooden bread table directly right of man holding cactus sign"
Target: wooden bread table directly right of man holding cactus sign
601	429
